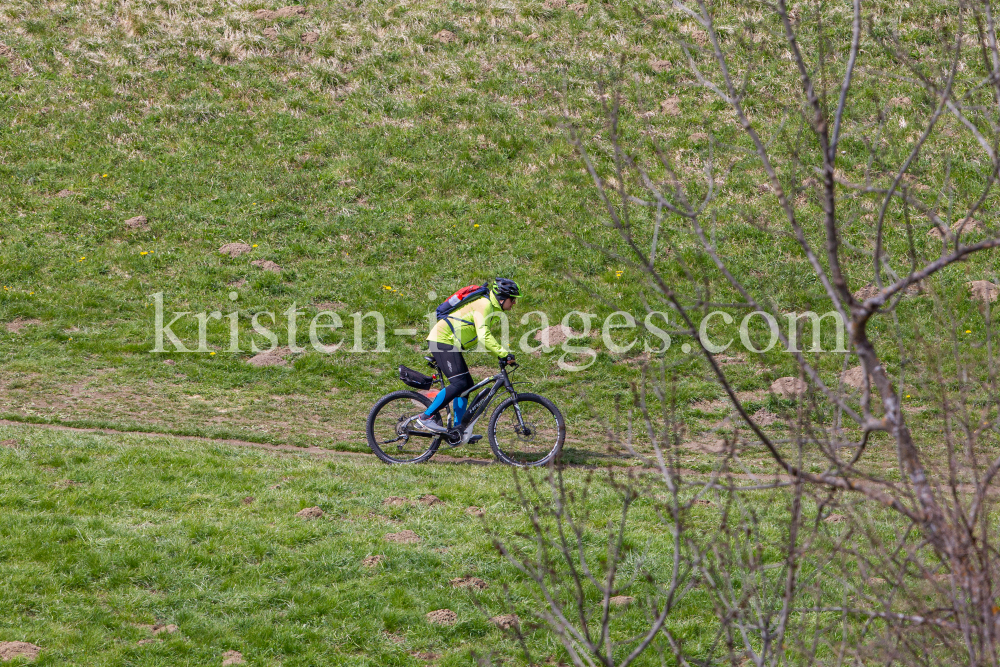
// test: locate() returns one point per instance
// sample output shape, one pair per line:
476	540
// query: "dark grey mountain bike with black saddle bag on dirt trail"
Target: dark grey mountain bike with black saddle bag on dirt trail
525	429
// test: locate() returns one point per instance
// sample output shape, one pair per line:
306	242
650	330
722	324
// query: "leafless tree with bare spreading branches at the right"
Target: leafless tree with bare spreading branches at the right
907	572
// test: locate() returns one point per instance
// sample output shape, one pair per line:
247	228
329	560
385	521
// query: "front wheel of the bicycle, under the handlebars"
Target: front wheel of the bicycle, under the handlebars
526	430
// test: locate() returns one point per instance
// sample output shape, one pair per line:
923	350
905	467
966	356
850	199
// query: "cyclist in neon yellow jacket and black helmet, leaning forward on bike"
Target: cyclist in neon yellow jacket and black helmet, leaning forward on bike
453	334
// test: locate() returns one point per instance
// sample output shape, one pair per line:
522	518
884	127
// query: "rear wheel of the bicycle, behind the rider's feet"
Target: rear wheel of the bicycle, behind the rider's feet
389	432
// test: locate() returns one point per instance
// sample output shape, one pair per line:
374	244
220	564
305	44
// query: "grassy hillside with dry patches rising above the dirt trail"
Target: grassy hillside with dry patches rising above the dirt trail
376	152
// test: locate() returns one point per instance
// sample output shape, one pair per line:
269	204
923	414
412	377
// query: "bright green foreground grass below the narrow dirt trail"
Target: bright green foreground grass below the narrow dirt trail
103	534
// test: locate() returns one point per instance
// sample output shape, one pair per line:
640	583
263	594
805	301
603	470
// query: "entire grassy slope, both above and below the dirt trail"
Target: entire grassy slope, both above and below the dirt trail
362	162
